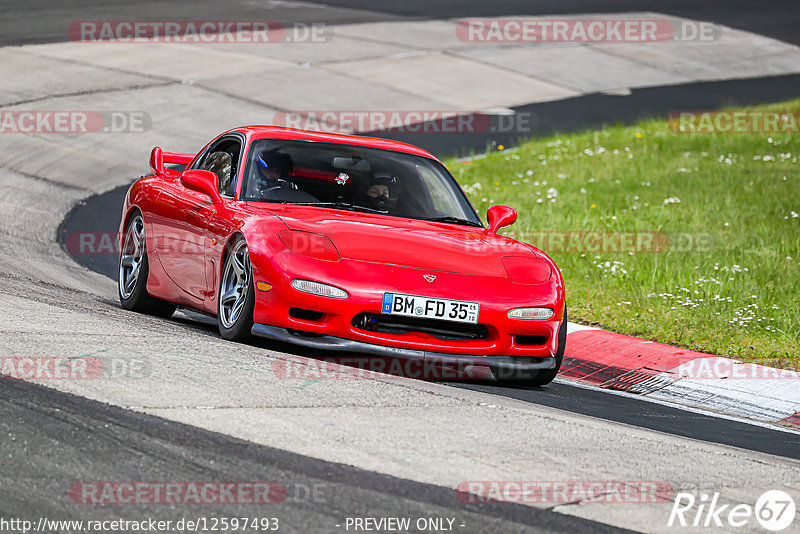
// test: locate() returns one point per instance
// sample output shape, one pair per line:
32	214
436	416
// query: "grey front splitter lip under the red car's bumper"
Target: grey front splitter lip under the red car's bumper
457	367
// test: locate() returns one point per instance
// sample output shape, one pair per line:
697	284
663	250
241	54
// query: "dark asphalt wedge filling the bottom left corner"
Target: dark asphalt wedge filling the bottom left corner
53	443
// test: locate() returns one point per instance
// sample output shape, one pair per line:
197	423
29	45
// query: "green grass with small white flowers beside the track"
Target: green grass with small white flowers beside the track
736	295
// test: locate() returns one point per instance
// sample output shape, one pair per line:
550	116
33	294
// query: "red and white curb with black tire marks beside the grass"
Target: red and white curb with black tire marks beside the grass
618	362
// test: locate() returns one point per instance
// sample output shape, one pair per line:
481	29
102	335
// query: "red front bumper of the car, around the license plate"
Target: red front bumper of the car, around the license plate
528	341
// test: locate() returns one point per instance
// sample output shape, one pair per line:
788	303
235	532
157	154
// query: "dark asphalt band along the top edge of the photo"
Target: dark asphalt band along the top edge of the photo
46	21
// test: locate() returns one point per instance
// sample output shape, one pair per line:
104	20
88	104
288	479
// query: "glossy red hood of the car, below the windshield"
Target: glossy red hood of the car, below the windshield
406	242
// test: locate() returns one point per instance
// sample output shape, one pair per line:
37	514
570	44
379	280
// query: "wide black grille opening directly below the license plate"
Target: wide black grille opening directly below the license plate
390	324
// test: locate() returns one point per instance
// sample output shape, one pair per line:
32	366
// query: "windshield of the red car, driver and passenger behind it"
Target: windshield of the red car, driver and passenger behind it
354	178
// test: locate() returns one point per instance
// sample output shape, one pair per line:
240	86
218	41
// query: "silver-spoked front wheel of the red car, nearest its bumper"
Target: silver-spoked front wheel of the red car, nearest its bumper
236	300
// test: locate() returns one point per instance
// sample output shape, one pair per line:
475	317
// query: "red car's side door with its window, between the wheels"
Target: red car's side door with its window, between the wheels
183	228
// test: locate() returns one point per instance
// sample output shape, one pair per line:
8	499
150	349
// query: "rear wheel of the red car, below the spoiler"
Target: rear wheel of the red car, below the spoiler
133	270
